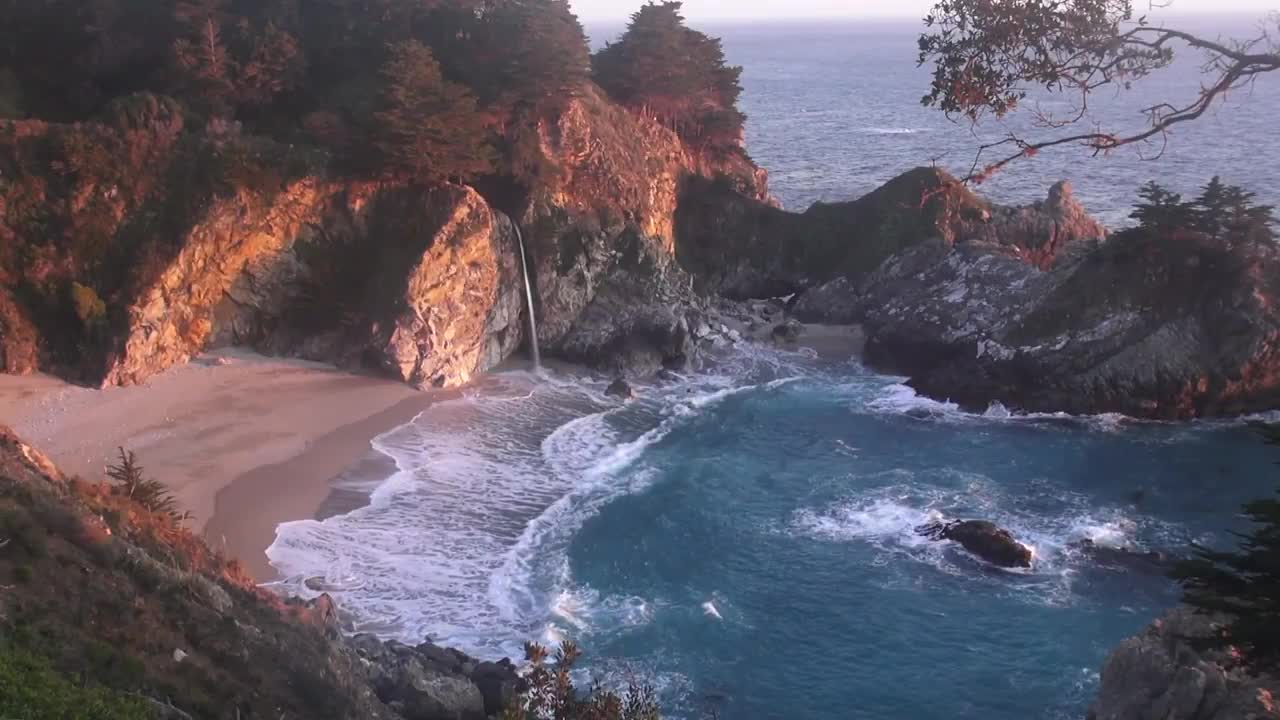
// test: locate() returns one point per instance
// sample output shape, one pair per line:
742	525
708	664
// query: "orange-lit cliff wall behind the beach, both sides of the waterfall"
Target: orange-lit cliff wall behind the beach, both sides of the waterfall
134	244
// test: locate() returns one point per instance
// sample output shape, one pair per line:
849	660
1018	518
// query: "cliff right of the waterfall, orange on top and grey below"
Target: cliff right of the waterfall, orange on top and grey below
601	230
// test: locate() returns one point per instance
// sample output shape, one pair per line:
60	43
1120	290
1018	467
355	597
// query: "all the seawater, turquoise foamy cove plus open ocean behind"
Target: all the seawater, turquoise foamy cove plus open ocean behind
743	539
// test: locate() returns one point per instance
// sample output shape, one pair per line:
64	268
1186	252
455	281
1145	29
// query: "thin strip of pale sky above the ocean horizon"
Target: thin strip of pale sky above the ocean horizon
598	11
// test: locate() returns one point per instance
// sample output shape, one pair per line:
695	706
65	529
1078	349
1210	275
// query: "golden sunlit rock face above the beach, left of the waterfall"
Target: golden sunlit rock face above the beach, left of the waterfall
418	284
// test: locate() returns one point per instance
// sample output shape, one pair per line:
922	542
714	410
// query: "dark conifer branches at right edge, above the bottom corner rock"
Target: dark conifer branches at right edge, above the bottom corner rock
1244	584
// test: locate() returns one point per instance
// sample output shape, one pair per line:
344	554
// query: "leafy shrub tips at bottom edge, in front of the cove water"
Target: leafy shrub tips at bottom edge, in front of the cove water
552	696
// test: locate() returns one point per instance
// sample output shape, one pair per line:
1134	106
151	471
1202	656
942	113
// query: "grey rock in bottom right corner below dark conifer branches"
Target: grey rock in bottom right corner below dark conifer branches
1163	675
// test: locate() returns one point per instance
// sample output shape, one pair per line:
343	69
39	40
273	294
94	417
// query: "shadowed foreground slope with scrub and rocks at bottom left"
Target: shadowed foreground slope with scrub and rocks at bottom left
150	623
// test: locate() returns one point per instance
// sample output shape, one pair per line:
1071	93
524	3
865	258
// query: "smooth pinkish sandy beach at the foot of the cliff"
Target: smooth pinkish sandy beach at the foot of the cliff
245	443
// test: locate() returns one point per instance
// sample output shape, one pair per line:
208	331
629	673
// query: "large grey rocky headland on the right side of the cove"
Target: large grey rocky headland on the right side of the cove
1148	325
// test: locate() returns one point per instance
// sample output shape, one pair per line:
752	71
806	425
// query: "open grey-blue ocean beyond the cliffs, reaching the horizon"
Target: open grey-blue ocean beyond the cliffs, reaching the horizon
834	112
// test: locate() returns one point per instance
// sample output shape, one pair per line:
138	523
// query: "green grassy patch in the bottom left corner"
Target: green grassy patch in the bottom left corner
34	691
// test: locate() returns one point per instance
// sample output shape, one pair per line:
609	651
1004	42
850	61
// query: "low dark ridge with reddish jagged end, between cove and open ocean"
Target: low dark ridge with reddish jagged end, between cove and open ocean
742	248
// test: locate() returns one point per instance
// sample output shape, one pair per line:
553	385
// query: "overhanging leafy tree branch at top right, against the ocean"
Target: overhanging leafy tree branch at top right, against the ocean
989	56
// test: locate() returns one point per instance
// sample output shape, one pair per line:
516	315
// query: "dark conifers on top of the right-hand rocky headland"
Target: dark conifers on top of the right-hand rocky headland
1222	212
